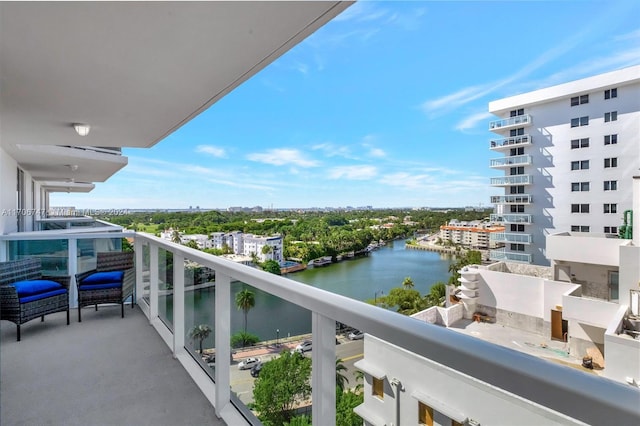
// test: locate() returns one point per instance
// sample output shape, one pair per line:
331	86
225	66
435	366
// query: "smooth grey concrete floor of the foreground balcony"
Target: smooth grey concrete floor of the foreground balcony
103	371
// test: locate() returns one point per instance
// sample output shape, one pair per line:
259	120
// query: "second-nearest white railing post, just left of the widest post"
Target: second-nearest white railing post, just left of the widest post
223	342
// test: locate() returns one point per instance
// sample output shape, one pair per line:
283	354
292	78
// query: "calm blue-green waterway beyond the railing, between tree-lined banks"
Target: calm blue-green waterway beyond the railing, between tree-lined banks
358	278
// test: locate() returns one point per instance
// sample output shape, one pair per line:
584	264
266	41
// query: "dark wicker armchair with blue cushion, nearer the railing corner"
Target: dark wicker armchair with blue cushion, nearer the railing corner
112	281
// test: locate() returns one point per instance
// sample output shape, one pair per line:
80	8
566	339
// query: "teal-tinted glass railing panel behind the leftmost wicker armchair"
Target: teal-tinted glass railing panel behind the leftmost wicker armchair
54	254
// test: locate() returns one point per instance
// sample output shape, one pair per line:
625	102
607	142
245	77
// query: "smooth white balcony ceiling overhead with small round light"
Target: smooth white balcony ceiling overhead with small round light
134	71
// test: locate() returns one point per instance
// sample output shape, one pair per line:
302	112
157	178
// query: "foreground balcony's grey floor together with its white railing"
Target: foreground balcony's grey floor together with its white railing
139	365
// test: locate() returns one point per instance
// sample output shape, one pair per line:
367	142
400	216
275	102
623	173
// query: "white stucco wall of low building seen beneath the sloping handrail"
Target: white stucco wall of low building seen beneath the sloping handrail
453	391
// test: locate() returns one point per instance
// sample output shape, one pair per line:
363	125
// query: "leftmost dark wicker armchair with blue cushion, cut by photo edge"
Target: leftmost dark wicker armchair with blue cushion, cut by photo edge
26	294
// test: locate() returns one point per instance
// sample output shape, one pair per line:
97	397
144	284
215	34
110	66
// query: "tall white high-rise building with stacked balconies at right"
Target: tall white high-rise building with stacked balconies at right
570	152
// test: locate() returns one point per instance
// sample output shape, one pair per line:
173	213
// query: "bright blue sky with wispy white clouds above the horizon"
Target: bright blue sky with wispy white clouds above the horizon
384	106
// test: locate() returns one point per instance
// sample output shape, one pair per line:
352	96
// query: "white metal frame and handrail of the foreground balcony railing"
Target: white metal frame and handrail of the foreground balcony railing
587	398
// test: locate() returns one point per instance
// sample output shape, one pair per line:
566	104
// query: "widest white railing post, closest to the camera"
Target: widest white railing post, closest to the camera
323	375
